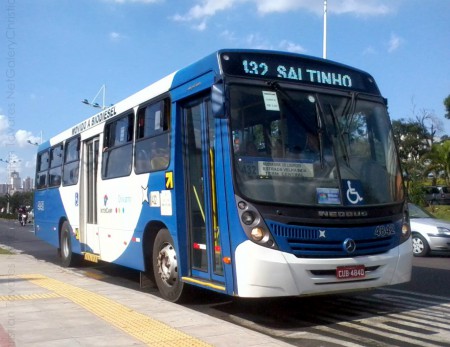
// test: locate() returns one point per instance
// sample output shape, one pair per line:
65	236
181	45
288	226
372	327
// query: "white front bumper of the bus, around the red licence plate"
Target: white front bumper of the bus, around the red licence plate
262	272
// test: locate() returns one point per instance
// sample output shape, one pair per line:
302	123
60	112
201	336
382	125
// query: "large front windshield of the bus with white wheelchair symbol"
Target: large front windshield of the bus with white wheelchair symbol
312	148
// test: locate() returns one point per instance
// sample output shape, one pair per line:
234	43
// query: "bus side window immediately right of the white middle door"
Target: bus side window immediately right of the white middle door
118	147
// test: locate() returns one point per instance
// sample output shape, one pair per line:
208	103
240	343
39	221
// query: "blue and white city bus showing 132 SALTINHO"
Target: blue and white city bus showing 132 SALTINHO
251	173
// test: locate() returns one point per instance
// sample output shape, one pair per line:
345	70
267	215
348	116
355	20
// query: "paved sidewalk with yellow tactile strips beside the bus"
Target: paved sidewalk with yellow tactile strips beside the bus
42	304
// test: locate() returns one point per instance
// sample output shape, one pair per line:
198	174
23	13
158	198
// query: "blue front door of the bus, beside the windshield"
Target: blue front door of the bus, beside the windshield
203	225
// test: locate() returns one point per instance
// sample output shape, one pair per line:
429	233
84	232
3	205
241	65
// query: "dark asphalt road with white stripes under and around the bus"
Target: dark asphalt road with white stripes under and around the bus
412	314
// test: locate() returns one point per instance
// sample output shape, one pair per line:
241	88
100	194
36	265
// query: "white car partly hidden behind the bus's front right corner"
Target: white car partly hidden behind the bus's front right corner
428	232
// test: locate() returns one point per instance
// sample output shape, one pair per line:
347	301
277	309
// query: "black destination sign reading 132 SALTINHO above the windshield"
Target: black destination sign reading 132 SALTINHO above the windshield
296	69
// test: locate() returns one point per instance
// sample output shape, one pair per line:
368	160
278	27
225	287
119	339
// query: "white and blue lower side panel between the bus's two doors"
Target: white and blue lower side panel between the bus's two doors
126	210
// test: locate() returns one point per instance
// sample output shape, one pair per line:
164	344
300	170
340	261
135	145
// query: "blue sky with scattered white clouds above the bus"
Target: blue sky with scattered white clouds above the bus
55	53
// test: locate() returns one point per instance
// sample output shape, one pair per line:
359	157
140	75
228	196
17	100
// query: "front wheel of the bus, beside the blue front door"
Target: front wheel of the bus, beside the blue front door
165	267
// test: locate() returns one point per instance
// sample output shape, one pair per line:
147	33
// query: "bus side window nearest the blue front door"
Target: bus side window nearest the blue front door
152	137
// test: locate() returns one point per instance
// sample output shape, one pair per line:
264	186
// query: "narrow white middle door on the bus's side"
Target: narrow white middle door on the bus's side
88	196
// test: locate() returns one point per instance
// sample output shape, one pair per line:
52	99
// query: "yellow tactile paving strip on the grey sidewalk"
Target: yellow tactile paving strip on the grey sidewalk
140	326
